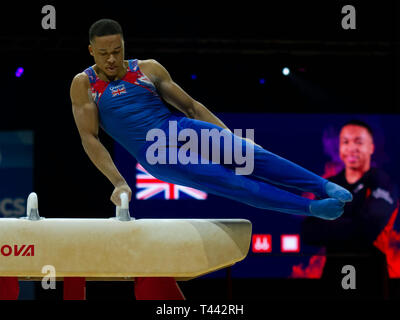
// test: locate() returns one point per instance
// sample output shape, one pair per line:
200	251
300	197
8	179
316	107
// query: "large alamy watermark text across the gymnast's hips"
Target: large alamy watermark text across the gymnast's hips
198	147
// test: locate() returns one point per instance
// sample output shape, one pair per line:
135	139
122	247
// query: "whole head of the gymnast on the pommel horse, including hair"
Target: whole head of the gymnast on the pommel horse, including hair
107	46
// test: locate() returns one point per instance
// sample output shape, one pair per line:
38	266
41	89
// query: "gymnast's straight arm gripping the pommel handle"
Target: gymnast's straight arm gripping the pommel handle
86	118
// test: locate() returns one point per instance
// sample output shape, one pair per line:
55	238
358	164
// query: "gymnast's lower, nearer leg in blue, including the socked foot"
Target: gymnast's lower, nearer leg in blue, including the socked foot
220	180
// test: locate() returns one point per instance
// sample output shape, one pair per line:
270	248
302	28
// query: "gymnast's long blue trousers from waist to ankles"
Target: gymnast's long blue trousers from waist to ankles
220	179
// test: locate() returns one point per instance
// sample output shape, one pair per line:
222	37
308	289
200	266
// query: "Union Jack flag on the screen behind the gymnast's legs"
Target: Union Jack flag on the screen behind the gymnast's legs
148	187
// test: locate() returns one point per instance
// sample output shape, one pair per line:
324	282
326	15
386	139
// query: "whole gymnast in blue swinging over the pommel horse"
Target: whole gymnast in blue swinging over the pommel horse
126	98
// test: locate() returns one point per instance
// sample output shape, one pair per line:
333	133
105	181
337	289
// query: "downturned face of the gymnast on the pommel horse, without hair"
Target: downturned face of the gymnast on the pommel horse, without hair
108	53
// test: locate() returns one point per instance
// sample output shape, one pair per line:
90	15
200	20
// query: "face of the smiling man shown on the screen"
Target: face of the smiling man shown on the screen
356	147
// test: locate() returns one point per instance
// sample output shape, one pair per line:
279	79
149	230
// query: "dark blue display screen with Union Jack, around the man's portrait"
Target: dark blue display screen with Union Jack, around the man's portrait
277	249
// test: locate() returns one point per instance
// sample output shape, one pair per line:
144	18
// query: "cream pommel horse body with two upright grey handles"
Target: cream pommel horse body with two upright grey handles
119	248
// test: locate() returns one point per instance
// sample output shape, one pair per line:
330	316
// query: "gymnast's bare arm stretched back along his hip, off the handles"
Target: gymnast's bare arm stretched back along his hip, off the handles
175	95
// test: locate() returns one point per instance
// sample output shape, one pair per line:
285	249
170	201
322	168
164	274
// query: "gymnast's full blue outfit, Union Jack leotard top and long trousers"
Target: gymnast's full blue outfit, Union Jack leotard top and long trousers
130	107
